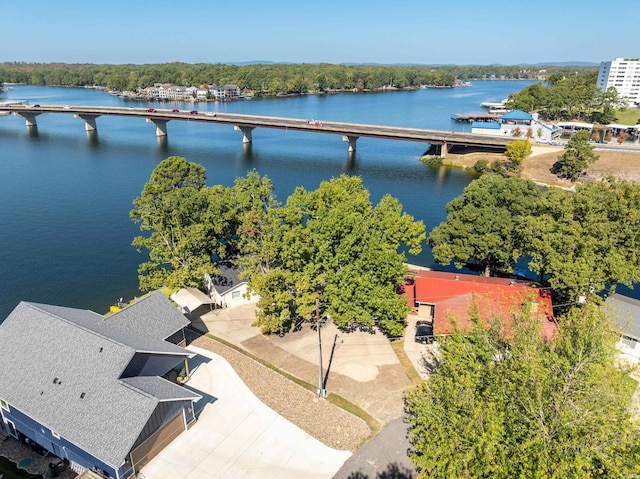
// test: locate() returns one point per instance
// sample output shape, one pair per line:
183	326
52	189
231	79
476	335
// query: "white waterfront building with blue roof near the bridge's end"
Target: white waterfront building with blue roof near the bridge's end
517	121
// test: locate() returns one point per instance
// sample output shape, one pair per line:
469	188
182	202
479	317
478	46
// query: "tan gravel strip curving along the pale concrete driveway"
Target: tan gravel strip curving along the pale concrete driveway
319	418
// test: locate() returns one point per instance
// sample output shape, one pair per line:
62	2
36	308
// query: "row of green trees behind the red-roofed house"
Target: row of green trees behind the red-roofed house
577	243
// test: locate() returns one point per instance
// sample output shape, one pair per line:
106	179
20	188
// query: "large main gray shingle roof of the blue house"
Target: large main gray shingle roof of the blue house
51	355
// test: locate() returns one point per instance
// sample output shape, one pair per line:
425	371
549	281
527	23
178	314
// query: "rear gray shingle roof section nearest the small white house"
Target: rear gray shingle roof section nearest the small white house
142	318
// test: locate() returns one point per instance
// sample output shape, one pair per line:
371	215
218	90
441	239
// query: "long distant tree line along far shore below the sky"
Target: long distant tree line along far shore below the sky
269	79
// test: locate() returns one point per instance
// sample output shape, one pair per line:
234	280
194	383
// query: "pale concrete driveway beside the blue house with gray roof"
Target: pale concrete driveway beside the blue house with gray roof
237	436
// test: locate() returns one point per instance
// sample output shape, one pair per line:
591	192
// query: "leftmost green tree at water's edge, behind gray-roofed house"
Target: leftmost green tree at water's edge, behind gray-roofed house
178	211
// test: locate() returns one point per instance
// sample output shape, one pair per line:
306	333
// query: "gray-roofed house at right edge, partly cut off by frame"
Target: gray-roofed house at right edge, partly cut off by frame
625	314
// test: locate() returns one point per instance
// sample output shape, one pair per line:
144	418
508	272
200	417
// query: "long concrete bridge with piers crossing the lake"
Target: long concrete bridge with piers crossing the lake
245	124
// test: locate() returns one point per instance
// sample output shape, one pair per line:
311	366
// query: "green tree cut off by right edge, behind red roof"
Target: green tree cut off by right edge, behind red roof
586	240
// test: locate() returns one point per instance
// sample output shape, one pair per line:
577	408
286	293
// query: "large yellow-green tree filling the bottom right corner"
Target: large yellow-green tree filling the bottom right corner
525	407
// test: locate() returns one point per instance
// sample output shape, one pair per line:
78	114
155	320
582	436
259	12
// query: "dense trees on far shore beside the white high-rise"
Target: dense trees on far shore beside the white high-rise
565	96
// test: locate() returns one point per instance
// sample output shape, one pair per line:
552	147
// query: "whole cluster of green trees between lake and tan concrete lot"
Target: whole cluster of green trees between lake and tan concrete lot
330	246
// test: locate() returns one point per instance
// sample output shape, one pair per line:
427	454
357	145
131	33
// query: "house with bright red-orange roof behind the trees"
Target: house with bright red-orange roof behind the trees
441	297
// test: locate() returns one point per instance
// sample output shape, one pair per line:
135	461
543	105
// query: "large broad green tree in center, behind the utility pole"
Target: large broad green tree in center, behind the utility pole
333	246
